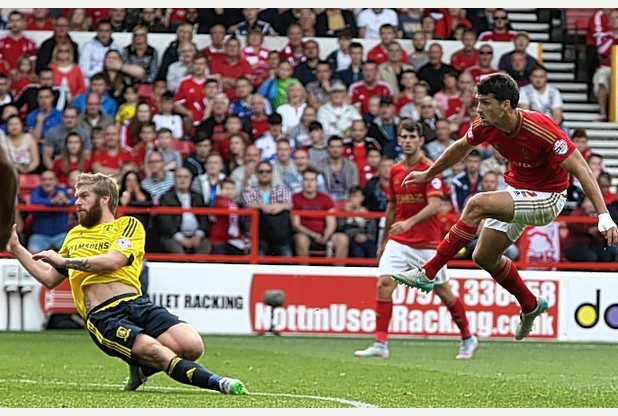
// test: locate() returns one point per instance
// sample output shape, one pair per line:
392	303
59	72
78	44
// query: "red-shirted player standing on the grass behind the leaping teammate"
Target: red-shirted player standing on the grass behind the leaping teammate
412	233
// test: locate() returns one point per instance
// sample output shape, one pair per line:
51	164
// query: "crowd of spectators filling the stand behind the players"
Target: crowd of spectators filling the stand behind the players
238	125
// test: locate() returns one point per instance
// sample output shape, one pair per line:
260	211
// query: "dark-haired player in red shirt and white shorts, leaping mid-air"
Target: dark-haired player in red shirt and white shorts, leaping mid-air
540	158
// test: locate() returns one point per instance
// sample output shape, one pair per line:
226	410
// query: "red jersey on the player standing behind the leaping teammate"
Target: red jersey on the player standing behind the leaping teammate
409	200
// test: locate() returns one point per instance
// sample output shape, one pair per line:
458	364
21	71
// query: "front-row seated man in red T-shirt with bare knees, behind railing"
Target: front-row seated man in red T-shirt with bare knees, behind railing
314	233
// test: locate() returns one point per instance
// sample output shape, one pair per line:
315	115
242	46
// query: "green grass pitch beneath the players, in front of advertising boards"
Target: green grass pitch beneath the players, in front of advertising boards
57	369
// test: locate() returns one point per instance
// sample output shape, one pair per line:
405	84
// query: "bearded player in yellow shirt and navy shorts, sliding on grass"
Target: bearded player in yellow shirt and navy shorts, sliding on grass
102	257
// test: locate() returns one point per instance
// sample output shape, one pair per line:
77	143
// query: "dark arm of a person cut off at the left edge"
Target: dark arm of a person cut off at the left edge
8	196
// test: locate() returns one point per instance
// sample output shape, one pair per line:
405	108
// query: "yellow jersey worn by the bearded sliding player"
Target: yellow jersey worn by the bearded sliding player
125	235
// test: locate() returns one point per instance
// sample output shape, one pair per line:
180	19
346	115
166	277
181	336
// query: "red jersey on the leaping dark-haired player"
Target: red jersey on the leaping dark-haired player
534	151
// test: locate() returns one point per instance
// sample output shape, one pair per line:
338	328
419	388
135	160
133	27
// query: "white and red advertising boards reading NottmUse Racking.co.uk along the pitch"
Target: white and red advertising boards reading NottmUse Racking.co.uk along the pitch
323	300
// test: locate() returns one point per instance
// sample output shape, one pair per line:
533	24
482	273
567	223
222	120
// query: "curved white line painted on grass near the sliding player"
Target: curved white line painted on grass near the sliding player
351	403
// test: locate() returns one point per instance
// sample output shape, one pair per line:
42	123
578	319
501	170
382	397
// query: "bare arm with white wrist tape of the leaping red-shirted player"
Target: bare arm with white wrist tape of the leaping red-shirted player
577	166
